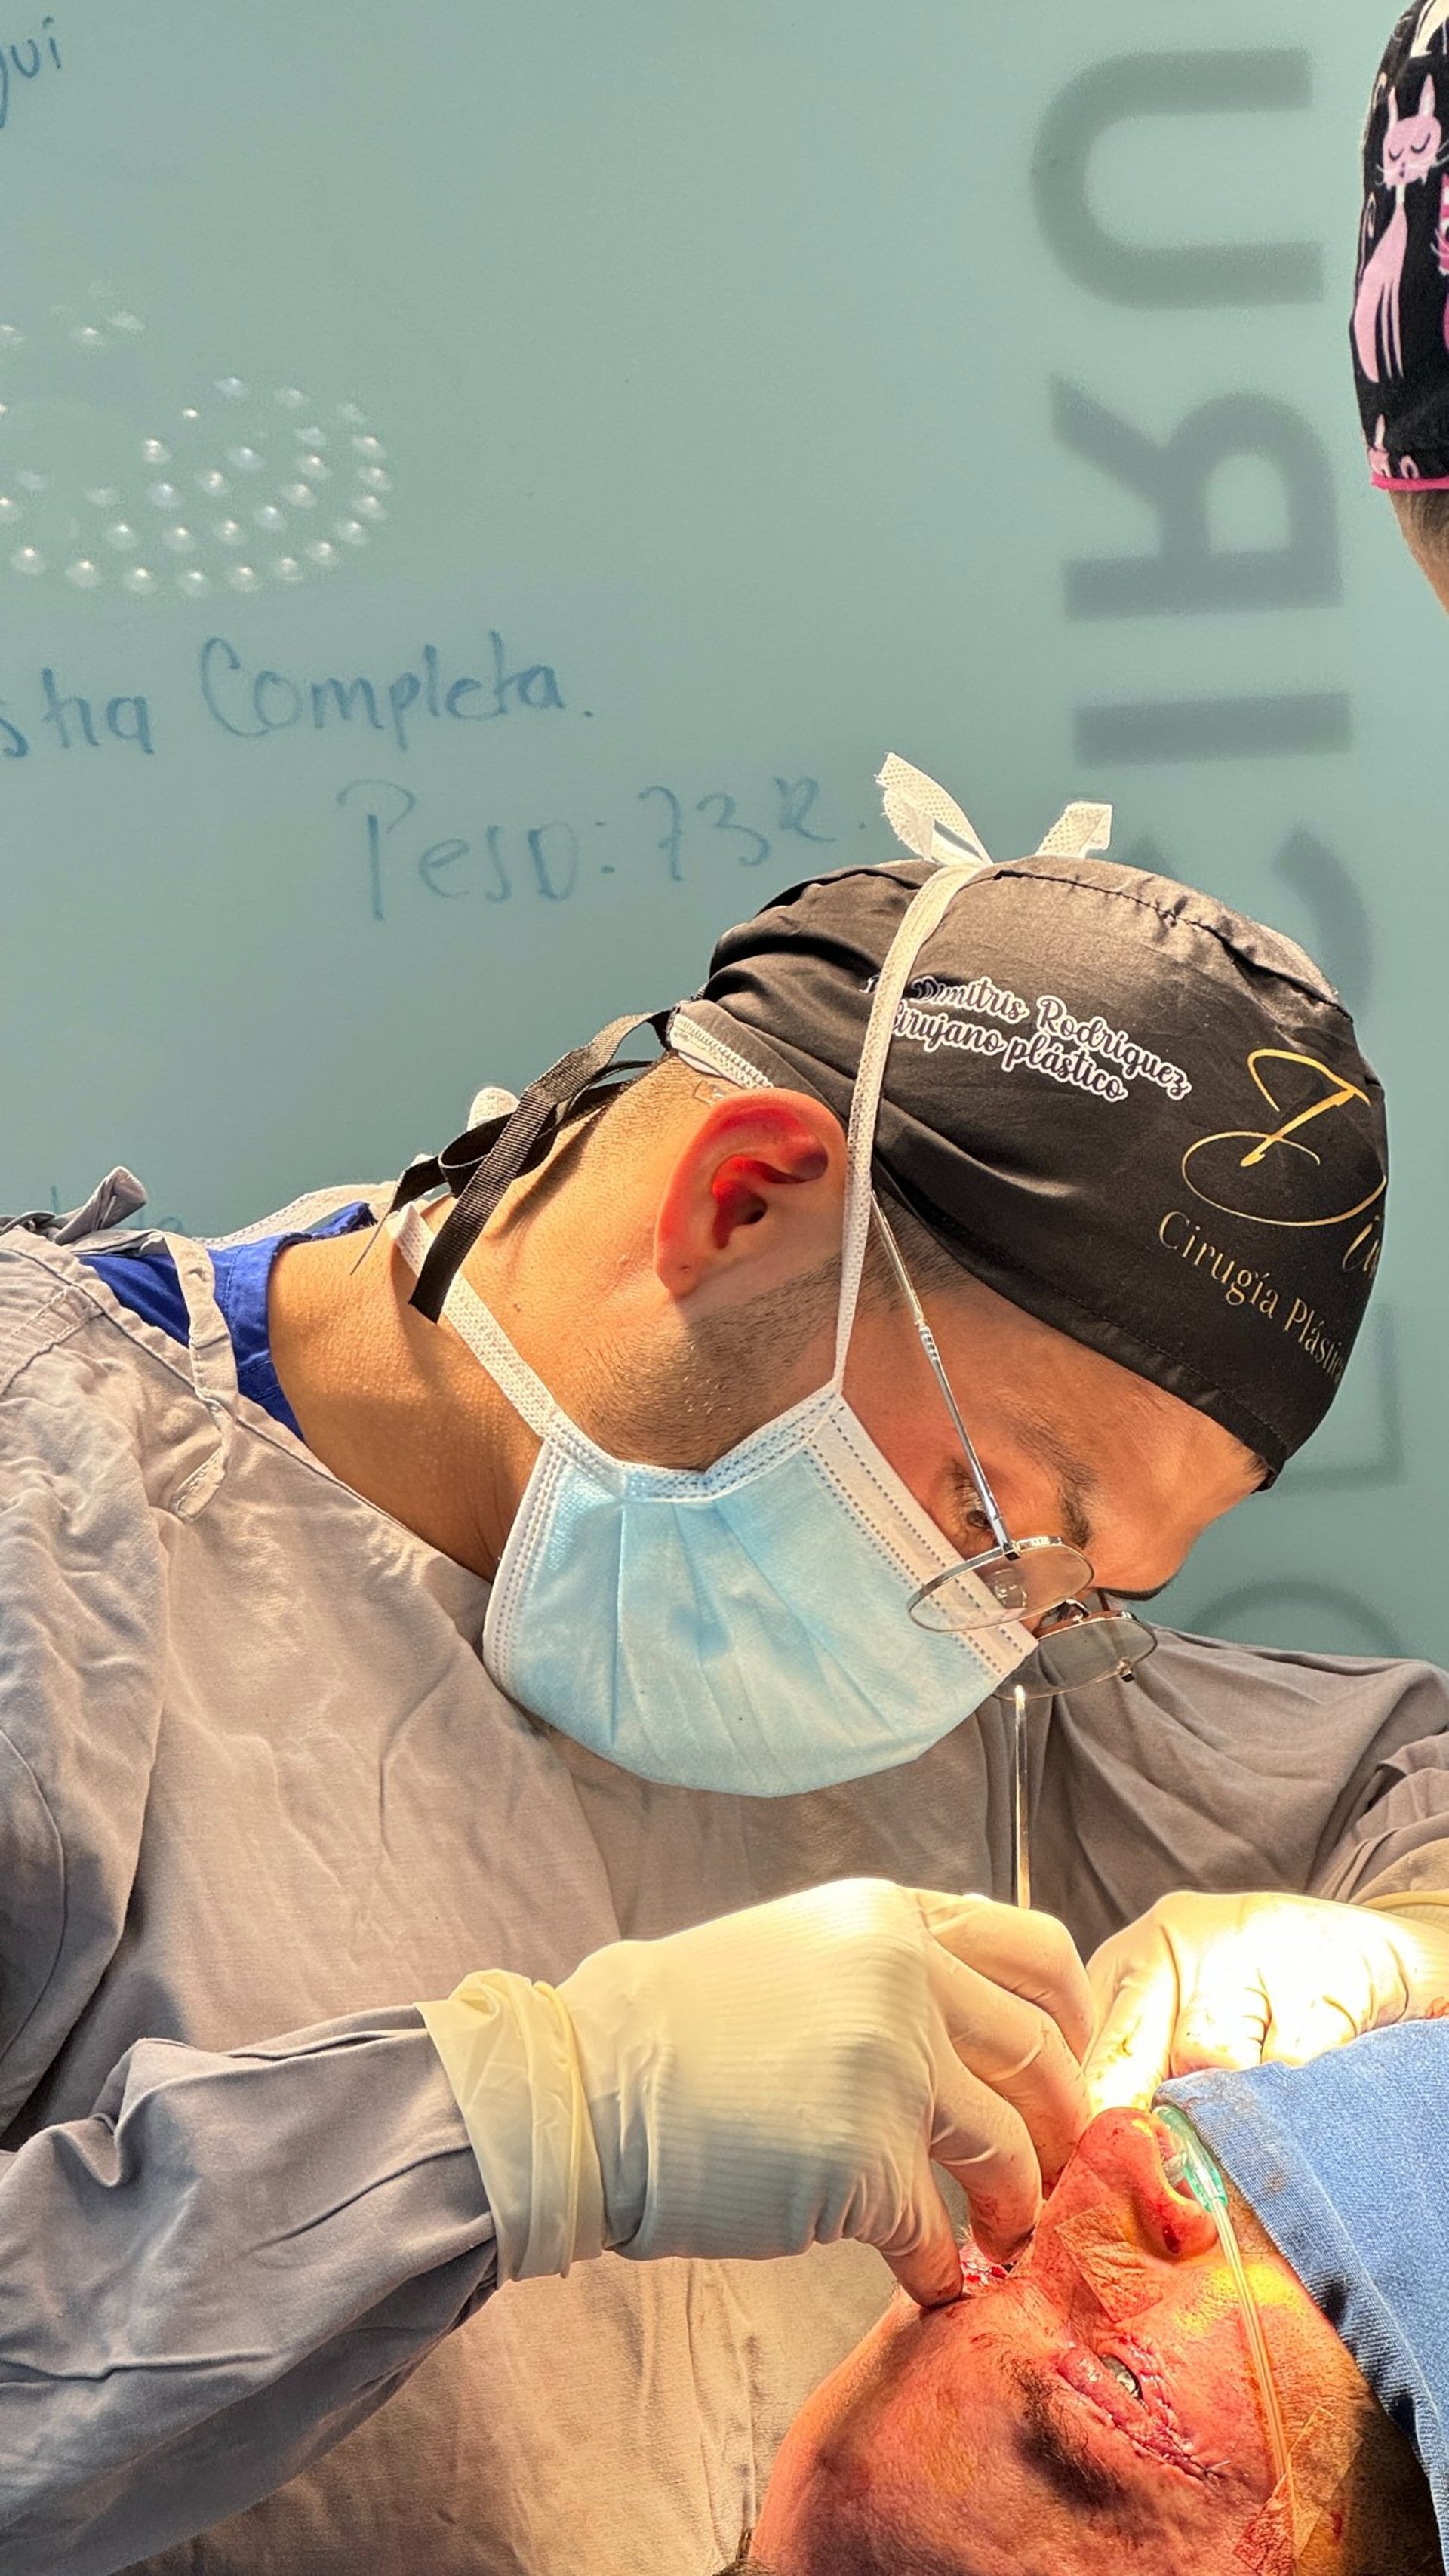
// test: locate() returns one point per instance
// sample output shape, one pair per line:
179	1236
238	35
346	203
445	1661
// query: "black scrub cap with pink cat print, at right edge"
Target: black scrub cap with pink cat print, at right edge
1401	305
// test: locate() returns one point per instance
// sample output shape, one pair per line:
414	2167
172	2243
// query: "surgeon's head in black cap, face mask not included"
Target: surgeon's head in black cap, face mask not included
1134	1153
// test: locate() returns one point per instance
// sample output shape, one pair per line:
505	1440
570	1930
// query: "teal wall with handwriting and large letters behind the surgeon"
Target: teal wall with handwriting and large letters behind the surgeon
668	411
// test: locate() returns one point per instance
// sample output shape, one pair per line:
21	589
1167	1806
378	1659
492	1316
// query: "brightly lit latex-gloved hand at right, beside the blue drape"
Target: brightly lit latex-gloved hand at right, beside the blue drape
1244	1980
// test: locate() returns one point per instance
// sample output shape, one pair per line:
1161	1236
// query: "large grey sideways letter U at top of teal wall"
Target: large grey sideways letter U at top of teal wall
1159	279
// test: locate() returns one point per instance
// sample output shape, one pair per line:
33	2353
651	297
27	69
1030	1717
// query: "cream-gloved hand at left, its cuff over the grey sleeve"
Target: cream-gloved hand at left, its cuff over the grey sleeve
779	2080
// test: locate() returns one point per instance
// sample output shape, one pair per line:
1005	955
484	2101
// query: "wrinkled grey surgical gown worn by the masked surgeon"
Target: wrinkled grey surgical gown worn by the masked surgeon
256	1797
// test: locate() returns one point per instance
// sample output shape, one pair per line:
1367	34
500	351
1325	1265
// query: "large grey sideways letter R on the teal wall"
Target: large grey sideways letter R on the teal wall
1188	573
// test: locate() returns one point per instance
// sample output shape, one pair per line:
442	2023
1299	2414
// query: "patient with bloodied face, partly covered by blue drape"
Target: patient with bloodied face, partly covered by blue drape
1103	2407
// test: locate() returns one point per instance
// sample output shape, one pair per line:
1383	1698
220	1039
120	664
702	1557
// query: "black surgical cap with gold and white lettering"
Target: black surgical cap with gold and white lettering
1131	1112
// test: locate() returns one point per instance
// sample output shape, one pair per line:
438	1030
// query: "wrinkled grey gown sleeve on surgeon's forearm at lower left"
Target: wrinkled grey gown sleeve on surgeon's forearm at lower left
217	2273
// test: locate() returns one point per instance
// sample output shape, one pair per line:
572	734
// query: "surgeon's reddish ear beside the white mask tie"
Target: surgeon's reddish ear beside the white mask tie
755	1199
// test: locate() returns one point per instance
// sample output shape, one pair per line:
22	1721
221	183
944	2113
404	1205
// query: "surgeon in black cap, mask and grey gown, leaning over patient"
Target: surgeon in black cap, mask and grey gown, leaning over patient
503	1699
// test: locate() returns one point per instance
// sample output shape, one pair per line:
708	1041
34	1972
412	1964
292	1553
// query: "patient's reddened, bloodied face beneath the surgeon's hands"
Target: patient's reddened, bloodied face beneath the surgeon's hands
1095	2412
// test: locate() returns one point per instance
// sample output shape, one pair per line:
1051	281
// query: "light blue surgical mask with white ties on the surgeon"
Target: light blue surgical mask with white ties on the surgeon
750	1627
